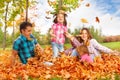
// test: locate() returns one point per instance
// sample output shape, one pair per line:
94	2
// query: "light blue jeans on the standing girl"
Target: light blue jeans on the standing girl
57	48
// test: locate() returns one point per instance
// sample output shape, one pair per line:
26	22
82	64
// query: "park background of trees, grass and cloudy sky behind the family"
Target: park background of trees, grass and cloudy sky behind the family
102	17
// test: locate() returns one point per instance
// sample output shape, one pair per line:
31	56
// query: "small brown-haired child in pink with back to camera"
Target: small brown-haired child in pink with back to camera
84	53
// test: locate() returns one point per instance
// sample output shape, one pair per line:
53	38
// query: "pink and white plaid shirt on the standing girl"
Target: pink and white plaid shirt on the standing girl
59	30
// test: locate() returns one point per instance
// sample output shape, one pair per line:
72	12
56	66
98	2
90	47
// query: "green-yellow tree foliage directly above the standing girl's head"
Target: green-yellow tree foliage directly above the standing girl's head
66	5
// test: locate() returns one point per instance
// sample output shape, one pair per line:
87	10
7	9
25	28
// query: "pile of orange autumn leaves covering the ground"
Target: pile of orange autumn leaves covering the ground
64	67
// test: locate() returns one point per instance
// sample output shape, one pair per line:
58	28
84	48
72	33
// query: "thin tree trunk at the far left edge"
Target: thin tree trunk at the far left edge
4	39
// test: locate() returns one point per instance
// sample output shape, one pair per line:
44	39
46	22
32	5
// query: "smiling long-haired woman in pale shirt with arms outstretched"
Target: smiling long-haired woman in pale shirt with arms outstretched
93	46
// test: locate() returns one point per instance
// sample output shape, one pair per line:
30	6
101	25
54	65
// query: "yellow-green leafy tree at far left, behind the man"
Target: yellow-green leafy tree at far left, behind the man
11	8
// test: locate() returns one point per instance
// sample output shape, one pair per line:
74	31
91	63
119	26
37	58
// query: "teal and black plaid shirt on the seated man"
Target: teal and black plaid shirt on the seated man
24	47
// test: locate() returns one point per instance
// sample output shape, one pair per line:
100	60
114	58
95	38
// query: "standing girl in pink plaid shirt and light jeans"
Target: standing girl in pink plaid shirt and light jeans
57	33
